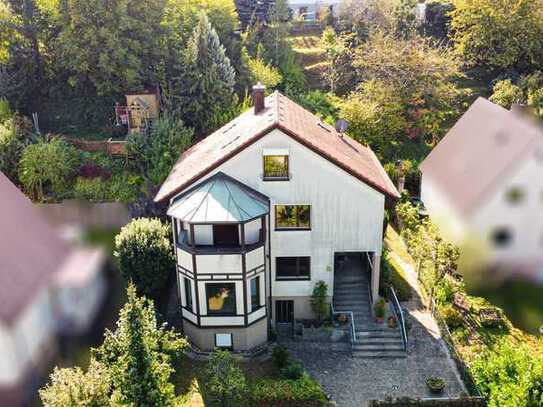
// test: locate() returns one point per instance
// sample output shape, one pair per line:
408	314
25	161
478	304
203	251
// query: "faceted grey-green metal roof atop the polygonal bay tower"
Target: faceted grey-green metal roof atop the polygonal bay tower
219	199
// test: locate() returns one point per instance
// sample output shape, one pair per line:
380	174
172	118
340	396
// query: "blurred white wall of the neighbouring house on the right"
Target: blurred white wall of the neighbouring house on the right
496	212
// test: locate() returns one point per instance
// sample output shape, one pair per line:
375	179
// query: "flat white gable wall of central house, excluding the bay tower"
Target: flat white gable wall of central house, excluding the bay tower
346	214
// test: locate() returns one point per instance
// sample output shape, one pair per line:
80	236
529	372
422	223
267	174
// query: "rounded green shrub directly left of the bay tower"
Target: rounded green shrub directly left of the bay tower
145	254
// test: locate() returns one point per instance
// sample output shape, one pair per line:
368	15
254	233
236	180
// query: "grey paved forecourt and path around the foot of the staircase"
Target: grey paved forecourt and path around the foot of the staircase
353	382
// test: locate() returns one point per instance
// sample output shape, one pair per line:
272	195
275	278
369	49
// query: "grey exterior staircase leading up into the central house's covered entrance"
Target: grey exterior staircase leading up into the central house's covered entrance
351	293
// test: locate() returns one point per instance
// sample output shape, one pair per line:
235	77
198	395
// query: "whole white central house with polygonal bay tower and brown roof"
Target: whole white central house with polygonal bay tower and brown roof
264	208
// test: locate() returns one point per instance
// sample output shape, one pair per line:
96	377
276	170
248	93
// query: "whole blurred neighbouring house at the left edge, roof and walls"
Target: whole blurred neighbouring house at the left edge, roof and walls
47	289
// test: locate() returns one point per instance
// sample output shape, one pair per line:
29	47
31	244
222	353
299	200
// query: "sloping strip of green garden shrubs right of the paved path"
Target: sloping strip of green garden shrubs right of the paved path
505	363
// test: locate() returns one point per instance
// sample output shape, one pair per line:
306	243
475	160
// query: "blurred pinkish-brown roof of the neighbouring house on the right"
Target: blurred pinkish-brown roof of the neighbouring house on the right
473	156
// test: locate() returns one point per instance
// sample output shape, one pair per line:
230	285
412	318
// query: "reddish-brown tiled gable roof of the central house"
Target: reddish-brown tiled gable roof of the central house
300	124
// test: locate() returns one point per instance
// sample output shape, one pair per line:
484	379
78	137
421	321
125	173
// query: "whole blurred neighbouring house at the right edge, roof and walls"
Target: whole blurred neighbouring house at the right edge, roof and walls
483	186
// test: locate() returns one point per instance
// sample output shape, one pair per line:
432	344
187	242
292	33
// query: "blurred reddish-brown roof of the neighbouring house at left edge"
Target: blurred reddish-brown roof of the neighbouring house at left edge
30	251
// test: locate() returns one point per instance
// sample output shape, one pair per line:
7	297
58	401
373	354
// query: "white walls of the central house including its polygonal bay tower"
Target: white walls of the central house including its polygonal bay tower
346	216
